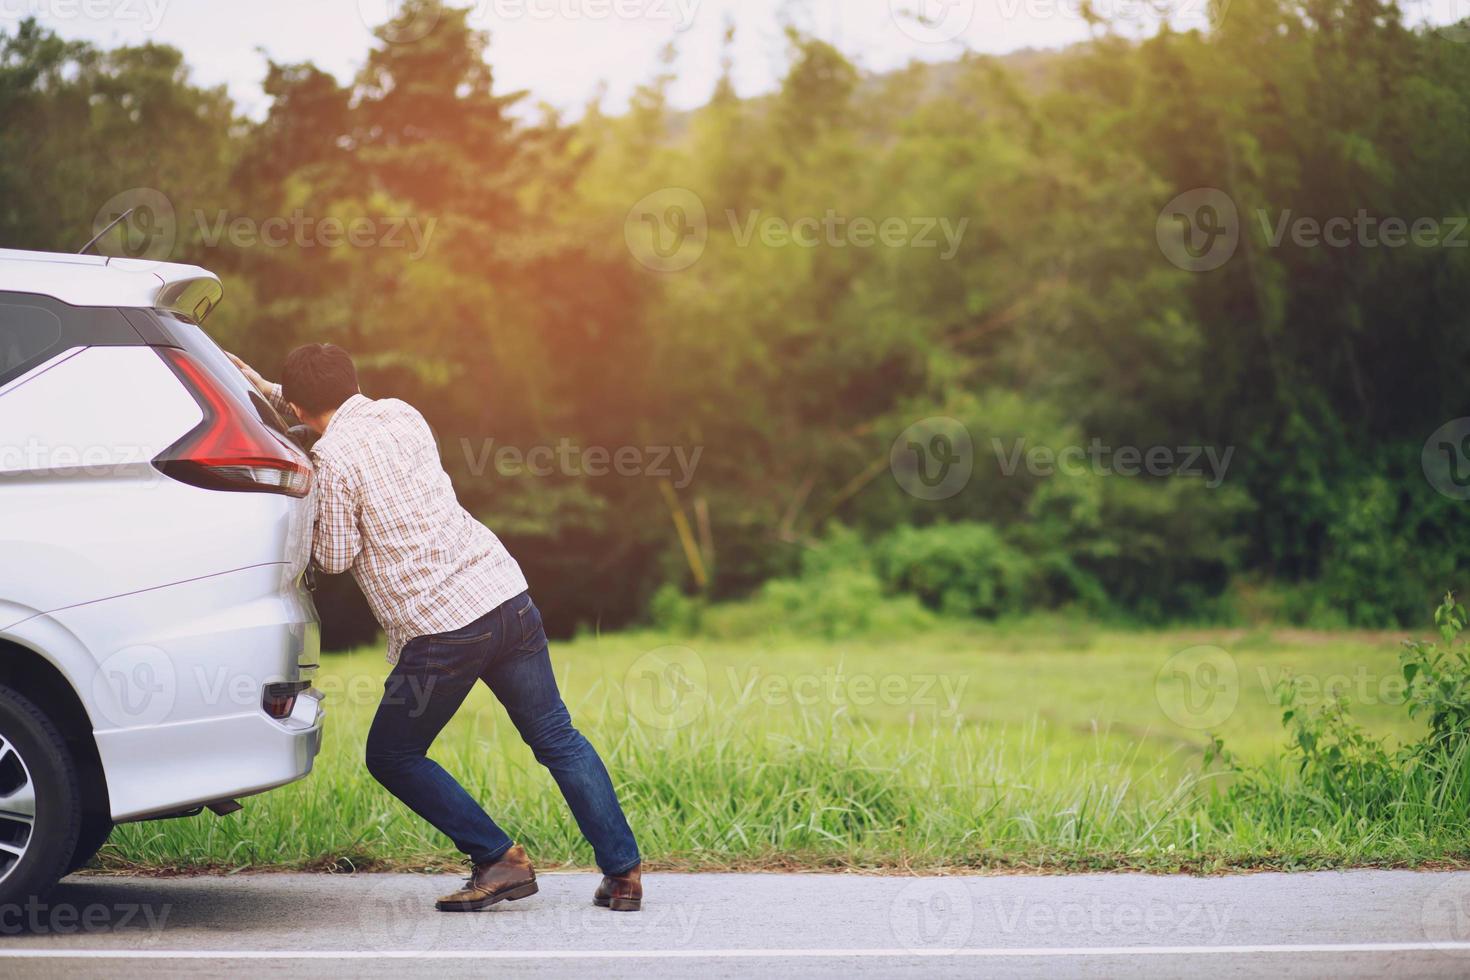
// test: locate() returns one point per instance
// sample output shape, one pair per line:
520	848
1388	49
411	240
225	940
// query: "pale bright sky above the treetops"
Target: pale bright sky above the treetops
564	52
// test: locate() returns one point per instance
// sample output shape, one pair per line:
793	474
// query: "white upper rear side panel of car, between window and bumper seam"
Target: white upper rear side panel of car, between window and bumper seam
86	514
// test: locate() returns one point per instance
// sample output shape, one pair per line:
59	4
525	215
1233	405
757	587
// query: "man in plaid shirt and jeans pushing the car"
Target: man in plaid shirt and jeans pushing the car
456	610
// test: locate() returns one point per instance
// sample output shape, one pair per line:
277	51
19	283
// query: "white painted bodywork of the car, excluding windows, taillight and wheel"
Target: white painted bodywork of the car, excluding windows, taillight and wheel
165	606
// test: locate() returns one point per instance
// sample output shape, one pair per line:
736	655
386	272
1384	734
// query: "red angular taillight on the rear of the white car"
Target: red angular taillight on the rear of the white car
230	450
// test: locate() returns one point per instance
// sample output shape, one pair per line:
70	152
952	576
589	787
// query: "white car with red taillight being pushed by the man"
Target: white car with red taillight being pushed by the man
157	640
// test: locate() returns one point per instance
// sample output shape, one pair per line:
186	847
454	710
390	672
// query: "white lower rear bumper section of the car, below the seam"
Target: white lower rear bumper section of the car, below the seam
176	680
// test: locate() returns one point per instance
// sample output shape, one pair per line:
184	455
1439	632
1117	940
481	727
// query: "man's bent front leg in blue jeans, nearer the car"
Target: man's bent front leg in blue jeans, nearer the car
421	696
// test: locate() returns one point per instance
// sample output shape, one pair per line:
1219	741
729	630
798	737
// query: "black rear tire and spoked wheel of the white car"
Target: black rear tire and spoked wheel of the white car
36	752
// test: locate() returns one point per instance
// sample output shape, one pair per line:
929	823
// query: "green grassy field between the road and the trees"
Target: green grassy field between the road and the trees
1053	781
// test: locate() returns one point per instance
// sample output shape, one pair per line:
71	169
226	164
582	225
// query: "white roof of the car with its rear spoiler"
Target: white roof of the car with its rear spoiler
114	283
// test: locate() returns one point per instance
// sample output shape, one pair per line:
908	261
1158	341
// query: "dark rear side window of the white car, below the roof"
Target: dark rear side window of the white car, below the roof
36	328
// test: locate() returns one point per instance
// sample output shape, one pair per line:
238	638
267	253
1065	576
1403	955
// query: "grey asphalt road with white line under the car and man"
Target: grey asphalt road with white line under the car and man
1328	925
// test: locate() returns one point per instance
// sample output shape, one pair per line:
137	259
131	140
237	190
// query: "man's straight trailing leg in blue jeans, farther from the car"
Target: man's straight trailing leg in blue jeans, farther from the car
521	675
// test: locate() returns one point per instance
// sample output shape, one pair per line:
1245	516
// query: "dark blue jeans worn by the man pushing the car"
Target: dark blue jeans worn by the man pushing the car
508	650
